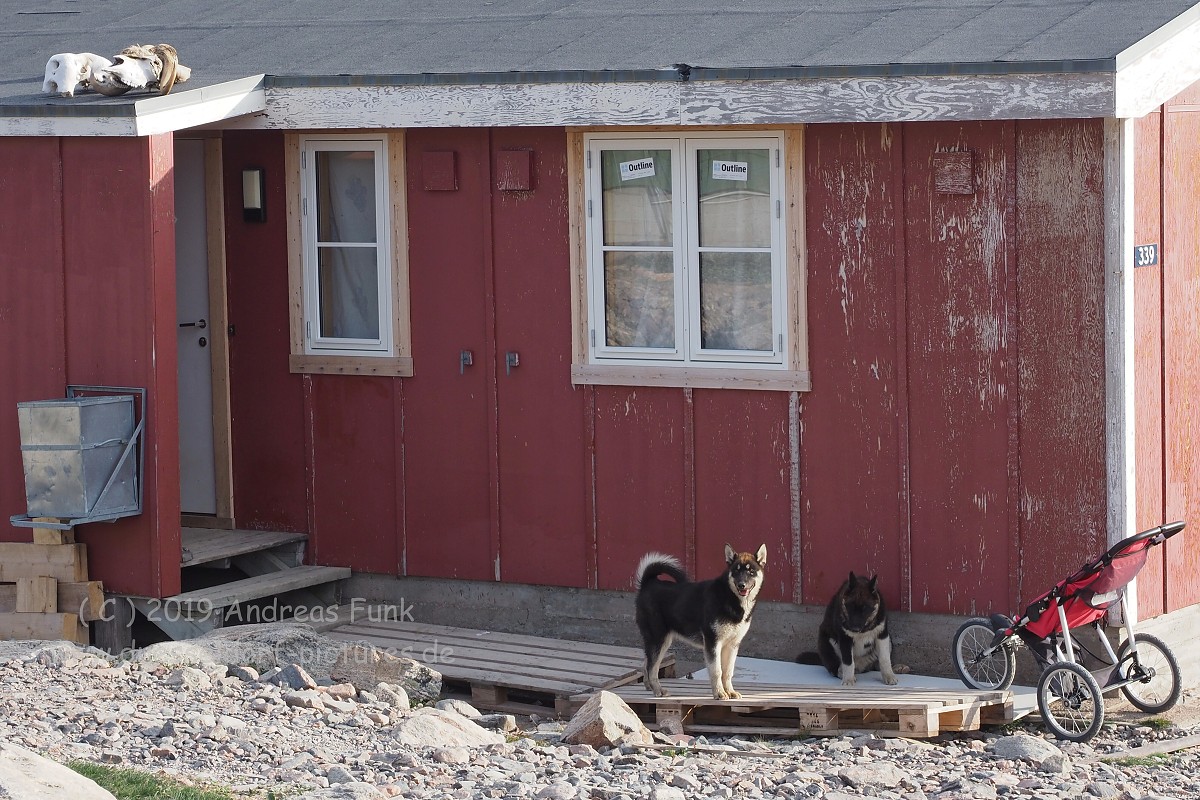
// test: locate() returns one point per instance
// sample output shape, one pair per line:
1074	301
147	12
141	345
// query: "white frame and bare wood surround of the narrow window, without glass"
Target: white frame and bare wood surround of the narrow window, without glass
311	353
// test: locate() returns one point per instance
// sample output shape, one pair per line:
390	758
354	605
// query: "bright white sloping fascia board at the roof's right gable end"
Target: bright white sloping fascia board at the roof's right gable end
1147	82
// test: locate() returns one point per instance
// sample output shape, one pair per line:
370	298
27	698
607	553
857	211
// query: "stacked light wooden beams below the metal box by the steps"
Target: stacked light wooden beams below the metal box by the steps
45	592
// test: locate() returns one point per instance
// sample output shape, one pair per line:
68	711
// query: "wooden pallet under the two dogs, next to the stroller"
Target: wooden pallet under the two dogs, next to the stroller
775	711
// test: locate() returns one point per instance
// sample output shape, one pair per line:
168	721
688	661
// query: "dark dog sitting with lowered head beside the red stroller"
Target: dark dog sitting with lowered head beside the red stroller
854	635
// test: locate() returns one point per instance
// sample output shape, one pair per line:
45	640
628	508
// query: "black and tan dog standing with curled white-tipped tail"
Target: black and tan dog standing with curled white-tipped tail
713	615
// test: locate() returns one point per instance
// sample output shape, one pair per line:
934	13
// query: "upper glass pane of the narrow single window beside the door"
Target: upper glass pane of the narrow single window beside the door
346	196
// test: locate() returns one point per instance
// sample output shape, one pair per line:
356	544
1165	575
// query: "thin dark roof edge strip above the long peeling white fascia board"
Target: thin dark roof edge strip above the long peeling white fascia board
687	73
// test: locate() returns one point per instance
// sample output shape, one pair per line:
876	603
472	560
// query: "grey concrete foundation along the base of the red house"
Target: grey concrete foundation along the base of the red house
921	642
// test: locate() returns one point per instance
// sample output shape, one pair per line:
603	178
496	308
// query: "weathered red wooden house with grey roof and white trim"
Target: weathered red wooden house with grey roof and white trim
531	290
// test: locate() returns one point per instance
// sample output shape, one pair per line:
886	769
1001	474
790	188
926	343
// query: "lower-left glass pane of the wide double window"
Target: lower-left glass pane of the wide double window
639	294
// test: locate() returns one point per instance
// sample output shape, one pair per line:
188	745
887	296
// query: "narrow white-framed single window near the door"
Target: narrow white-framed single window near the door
347	258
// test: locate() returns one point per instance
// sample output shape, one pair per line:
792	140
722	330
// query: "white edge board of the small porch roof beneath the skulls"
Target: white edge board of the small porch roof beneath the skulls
176	112
